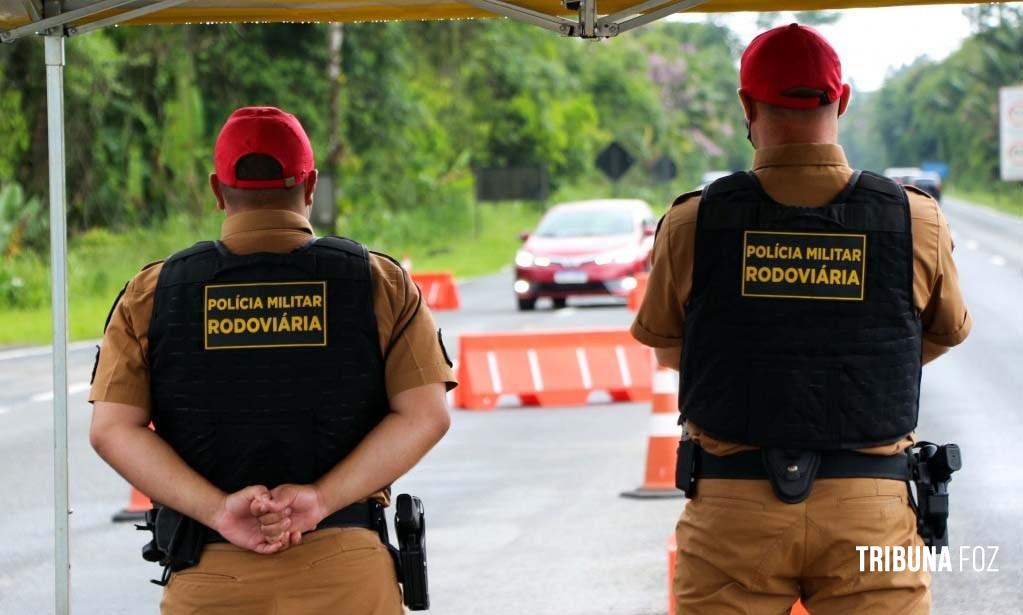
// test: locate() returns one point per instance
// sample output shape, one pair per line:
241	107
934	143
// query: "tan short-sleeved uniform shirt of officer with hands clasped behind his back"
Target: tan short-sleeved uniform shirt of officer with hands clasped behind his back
416	359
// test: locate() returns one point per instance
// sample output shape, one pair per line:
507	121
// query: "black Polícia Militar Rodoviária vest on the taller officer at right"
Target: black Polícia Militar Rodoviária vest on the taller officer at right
800	331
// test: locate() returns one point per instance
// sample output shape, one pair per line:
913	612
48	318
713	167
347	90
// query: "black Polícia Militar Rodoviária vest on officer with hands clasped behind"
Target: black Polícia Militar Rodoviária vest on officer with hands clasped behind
266	368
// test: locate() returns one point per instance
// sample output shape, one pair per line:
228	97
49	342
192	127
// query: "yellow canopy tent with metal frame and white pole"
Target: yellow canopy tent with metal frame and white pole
57	20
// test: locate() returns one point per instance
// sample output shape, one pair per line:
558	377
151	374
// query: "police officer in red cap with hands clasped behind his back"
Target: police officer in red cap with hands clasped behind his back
290	381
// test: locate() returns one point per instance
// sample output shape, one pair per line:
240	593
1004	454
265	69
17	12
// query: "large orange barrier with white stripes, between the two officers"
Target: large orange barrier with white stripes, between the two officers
552	369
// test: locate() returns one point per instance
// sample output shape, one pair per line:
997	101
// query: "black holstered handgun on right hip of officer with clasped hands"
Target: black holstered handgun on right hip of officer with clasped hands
411	525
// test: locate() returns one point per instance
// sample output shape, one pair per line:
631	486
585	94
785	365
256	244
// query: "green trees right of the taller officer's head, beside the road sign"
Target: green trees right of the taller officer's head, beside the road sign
949	111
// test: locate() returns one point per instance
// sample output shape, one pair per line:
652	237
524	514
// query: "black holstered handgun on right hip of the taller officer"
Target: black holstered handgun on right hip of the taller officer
932	468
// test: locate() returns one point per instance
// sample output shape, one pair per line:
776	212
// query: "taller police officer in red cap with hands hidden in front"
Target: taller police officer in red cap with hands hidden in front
800	301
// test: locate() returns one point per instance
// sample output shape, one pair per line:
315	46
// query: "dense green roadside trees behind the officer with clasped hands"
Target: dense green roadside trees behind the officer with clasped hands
420	105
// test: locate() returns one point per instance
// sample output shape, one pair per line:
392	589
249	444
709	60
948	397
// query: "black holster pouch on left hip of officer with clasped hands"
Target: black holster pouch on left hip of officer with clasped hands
177	541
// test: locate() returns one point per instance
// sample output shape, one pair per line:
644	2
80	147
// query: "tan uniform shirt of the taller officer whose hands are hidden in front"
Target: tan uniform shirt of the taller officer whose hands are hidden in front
806	175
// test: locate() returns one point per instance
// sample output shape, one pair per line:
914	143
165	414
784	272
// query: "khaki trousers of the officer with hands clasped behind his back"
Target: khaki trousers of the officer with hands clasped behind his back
336	572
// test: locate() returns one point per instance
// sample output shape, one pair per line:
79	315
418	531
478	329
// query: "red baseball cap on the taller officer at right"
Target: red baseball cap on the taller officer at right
792	67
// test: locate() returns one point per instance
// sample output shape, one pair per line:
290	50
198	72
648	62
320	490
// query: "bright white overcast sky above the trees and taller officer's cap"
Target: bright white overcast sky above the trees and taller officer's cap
872	41
